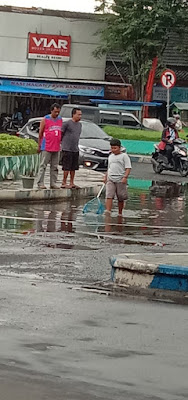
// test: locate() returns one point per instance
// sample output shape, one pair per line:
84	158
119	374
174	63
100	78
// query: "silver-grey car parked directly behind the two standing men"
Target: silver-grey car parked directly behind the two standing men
94	144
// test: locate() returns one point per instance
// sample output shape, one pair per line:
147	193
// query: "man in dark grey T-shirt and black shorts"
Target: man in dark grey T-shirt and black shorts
70	151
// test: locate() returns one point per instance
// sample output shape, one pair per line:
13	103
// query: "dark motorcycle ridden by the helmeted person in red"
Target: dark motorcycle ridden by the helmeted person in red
179	162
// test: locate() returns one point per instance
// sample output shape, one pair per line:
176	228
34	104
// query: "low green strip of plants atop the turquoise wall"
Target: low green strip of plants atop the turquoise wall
137	134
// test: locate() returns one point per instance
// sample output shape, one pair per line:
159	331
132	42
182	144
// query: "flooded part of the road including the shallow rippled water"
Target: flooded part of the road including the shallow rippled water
57	241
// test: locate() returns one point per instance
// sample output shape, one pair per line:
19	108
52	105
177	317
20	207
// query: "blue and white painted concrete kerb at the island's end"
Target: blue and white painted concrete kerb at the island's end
129	272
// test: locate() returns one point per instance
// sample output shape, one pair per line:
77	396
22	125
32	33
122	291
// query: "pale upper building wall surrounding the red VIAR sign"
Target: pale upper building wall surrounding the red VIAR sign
14	29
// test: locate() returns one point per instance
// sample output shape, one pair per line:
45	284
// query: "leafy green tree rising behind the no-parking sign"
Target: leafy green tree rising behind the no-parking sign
140	30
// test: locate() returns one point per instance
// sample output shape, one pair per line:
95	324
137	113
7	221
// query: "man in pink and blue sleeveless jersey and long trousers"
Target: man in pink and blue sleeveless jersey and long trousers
49	144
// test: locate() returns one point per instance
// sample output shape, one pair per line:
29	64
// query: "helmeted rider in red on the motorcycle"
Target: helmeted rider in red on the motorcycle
169	134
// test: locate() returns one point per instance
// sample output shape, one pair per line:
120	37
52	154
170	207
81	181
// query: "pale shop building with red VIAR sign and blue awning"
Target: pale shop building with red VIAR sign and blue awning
47	56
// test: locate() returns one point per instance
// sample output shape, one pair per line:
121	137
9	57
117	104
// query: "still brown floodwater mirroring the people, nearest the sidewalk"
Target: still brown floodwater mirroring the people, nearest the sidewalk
147	213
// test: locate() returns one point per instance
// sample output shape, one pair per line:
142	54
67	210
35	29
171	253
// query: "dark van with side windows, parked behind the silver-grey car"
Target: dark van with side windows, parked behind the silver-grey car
103	117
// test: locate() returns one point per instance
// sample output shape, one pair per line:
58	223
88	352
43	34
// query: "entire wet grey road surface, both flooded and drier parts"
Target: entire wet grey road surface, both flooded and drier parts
61	343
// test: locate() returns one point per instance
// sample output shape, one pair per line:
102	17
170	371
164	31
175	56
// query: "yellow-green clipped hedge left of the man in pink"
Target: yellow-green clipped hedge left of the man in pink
14	146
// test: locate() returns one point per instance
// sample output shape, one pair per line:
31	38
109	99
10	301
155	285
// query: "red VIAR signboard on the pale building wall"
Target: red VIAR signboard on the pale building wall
49	47
